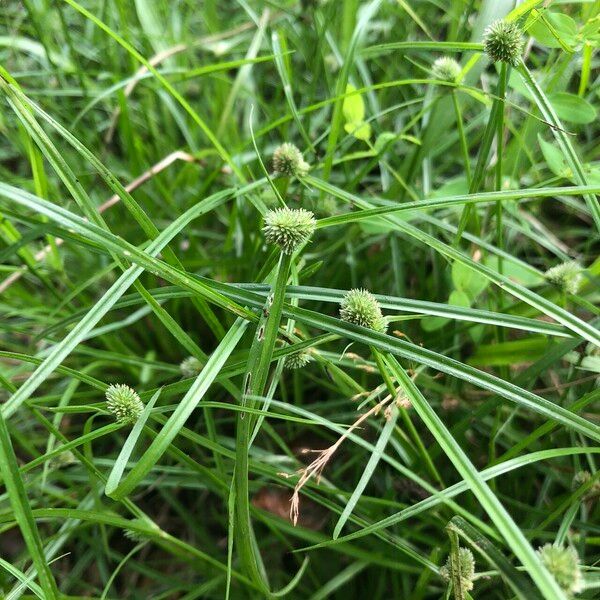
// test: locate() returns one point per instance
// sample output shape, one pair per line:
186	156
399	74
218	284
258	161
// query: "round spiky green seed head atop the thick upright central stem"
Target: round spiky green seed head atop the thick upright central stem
288	227
